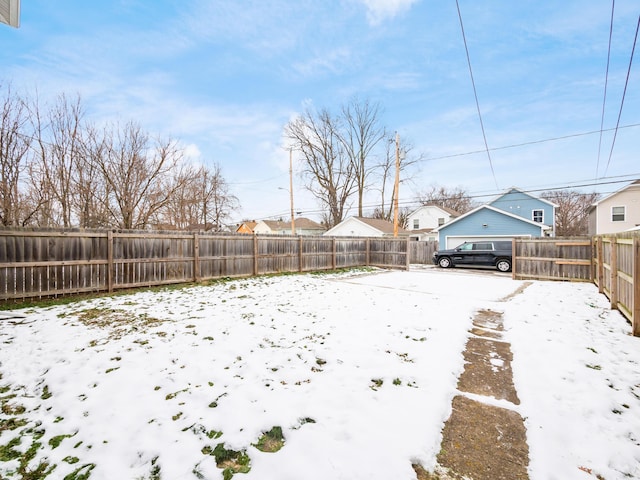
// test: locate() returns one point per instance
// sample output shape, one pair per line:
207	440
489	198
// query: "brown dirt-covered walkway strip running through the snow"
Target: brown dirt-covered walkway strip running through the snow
484	438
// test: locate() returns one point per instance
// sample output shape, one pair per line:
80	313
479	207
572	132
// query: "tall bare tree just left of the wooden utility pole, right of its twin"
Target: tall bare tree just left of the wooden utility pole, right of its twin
361	134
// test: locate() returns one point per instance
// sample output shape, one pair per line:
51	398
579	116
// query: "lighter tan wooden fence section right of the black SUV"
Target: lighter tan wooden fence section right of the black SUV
612	262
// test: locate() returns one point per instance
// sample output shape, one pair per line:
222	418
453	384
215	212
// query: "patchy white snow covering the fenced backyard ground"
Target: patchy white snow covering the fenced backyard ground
358	369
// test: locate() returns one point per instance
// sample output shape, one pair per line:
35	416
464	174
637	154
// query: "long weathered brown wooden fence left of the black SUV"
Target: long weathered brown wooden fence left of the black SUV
38	264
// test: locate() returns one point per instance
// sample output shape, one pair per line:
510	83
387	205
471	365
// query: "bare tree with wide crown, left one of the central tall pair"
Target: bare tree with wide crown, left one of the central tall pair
330	174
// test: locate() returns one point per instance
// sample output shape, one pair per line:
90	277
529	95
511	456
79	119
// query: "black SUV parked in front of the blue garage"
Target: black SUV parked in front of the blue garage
486	253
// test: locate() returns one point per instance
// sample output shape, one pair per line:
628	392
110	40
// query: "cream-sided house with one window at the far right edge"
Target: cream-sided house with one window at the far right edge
617	212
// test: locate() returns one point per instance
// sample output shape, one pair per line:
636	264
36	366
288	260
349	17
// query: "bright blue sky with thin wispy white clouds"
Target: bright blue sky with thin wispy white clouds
224	77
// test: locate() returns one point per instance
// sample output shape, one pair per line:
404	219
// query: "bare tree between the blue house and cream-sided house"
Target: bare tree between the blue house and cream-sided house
572	212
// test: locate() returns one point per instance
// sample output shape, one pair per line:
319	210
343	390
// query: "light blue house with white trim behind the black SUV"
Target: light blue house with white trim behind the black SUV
512	214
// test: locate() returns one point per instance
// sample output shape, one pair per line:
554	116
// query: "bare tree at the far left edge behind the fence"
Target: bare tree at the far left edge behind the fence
14	148
